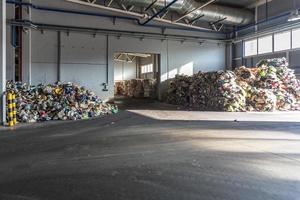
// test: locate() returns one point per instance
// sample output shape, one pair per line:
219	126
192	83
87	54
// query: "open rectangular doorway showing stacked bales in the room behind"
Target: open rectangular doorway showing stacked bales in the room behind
136	75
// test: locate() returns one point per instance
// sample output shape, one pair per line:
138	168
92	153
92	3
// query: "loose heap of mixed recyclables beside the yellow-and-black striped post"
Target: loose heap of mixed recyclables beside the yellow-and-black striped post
61	101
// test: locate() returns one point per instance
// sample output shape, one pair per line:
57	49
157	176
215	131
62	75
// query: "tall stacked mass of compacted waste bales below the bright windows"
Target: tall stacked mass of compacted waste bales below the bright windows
270	86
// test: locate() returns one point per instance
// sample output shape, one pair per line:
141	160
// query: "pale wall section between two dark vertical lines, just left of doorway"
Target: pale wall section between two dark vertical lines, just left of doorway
83	60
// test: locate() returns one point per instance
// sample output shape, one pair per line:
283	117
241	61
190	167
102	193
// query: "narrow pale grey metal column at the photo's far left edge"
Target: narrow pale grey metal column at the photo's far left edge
2	60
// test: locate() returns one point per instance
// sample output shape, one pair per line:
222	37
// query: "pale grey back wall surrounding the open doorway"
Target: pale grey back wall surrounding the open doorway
84	57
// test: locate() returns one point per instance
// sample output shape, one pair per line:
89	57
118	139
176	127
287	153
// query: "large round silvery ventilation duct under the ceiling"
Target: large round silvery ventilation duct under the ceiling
210	13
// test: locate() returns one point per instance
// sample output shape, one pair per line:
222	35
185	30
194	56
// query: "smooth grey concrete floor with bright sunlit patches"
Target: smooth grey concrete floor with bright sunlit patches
154	151
